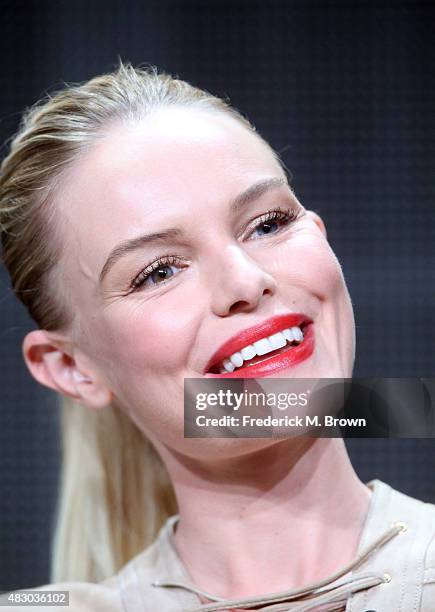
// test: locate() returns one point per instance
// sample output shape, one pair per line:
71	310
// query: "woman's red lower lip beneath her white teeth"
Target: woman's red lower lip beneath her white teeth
282	361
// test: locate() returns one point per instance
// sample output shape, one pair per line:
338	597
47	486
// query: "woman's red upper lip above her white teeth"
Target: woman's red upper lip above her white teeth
254	333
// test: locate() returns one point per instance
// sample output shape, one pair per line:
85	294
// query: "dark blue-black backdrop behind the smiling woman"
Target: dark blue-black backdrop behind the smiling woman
345	92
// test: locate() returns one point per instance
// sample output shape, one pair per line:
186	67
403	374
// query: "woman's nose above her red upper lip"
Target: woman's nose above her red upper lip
239	283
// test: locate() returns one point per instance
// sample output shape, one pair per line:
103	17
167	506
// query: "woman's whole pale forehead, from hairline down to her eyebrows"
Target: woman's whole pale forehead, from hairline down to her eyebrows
176	162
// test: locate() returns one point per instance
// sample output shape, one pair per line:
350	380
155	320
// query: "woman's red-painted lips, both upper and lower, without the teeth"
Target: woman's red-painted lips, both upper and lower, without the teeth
287	357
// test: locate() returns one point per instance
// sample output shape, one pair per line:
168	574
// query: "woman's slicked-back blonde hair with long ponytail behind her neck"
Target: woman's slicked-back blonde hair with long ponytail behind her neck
111	504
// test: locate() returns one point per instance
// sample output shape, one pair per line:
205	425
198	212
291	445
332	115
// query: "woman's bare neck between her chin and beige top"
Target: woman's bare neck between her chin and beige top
276	519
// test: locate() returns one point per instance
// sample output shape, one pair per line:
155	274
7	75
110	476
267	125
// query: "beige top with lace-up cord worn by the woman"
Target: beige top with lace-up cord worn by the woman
394	571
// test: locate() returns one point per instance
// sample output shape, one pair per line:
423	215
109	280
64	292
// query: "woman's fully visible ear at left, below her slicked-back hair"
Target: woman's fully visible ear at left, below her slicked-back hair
50	362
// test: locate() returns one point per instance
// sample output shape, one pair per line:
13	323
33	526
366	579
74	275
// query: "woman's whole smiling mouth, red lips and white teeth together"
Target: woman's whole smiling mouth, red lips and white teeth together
279	343
